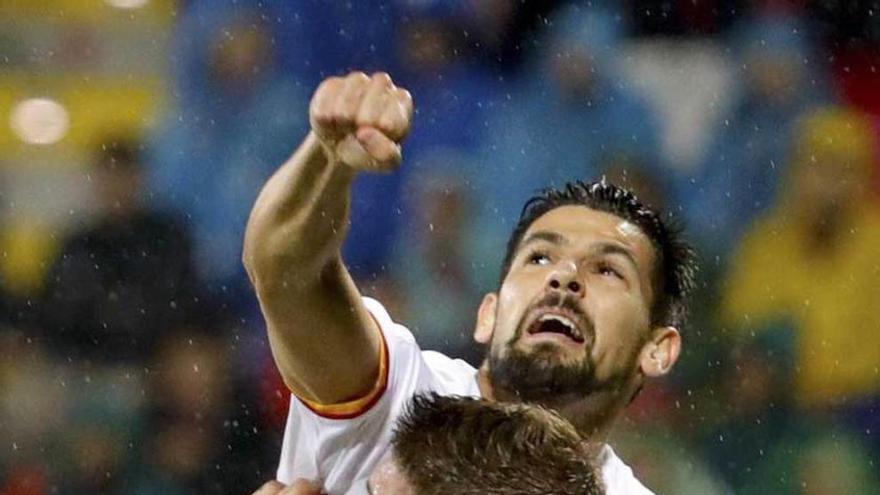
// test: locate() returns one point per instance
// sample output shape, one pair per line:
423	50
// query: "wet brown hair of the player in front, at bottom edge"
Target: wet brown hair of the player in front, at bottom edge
471	446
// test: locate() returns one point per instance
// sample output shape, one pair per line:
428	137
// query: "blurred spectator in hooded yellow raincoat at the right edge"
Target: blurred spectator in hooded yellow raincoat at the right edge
813	260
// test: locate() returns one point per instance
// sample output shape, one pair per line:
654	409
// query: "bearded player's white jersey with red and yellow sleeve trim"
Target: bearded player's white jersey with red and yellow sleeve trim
340	445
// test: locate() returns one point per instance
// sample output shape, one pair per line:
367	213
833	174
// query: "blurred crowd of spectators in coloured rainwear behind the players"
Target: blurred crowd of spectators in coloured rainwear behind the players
138	363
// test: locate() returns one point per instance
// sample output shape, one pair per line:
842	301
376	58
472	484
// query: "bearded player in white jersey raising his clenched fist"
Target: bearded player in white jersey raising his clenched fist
587	309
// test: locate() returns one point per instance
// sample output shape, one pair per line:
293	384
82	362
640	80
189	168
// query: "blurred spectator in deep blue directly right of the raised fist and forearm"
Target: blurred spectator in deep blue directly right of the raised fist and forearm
448	92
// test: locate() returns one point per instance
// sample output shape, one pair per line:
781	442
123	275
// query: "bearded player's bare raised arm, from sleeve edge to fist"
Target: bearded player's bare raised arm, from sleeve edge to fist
325	343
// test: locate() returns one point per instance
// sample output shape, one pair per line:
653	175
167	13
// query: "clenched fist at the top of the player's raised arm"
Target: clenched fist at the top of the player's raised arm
360	120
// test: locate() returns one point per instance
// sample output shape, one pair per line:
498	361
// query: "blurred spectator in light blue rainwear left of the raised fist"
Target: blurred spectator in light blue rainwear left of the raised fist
234	120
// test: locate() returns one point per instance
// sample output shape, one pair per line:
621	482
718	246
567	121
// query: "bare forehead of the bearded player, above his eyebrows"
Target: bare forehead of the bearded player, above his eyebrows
582	226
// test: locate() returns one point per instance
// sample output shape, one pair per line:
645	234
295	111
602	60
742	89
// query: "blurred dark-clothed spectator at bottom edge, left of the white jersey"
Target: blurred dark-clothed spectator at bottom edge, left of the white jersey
198	437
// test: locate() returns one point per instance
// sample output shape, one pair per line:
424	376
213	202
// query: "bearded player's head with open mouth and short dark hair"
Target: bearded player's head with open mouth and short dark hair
592	293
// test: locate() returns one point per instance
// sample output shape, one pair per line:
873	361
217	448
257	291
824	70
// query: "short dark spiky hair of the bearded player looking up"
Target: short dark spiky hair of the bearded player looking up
675	266
